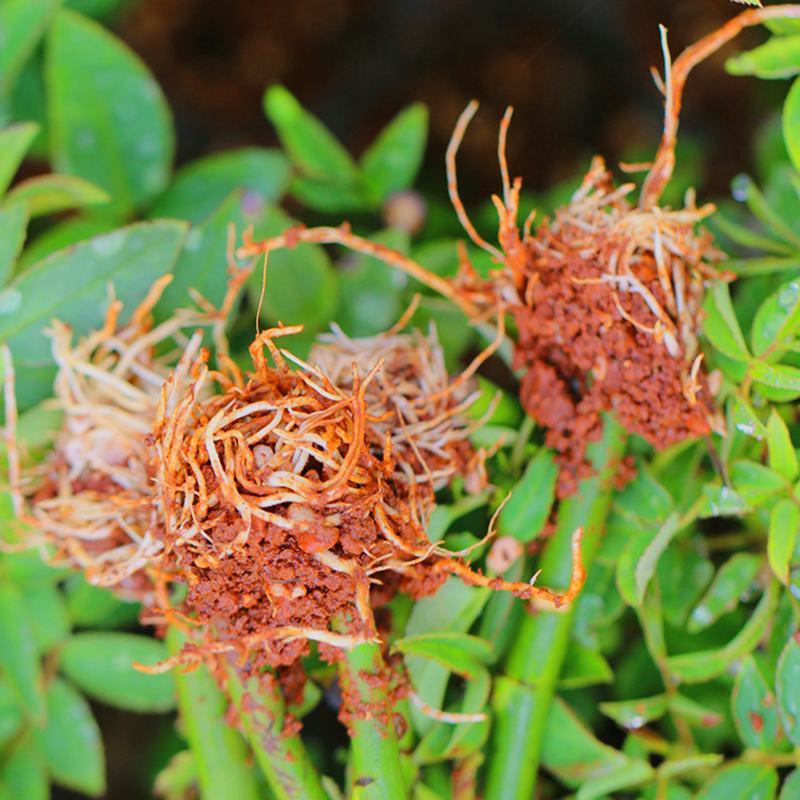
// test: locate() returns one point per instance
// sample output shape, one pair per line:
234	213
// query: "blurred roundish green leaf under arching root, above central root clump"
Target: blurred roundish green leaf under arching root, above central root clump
301	287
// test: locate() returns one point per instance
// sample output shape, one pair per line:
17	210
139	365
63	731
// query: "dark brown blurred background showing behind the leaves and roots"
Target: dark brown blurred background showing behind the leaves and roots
576	71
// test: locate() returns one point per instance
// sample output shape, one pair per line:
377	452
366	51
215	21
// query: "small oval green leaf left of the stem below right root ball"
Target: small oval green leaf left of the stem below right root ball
528	508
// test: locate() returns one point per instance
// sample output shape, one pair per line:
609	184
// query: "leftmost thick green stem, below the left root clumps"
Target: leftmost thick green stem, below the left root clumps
219	751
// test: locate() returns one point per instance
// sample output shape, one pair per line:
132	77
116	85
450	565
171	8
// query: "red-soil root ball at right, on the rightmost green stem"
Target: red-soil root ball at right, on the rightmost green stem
608	314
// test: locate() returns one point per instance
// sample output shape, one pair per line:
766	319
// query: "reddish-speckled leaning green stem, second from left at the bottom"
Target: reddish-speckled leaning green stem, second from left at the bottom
282	757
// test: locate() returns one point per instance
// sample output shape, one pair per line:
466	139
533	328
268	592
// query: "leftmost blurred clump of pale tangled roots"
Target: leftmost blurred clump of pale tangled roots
92	499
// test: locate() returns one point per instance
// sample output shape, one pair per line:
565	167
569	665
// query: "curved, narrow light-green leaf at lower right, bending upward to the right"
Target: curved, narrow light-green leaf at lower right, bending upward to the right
703	665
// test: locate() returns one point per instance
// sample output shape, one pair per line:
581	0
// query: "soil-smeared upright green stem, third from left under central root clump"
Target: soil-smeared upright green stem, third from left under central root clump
376	770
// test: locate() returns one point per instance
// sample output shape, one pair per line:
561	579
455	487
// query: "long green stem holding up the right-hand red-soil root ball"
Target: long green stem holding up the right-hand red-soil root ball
523	695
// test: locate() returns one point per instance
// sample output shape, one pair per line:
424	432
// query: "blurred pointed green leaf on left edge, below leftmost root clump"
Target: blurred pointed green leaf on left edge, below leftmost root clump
19	658
